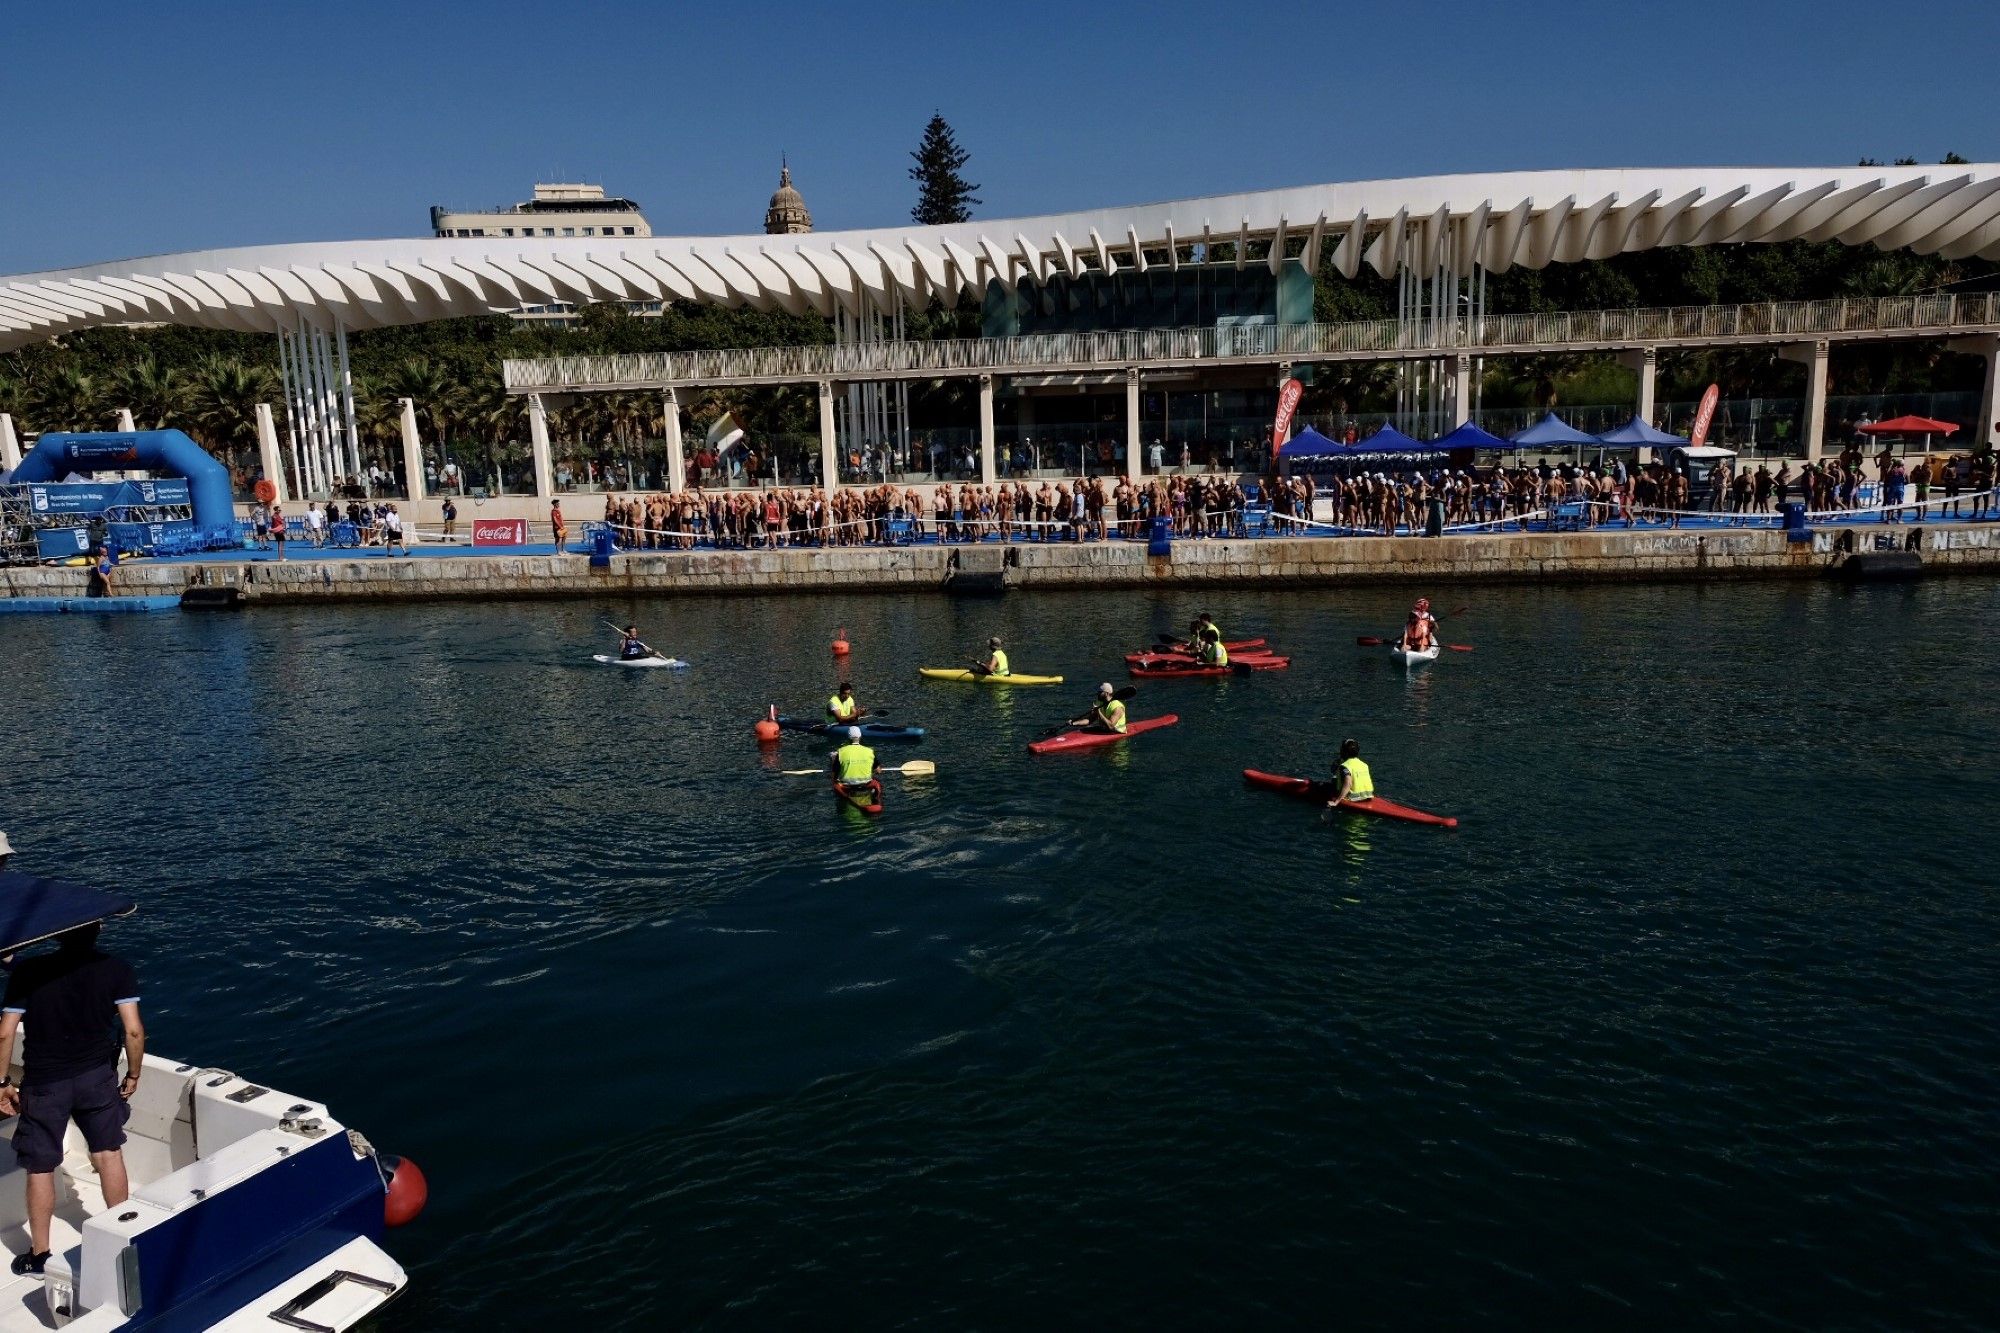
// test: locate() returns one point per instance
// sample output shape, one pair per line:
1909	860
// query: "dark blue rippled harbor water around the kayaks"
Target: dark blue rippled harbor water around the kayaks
1695	1020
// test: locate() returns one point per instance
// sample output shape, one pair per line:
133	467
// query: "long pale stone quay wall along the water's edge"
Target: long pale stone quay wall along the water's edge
1605	555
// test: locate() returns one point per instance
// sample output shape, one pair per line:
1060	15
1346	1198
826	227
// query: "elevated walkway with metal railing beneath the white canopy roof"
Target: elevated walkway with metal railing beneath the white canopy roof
1781	321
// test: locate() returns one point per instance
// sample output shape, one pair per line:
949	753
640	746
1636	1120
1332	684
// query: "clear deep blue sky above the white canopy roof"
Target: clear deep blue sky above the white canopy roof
139	129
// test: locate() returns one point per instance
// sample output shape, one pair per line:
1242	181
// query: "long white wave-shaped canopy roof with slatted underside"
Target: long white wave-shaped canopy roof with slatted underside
1423	223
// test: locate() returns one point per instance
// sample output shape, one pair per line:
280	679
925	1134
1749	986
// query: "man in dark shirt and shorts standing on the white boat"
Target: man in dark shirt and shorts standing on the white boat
83	1006
